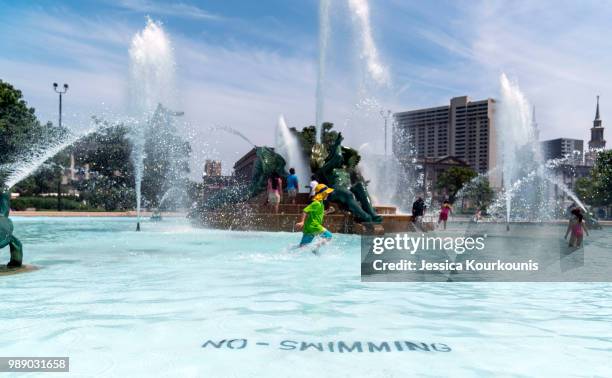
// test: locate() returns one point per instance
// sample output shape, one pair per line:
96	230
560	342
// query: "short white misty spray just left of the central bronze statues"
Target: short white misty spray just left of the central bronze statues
288	146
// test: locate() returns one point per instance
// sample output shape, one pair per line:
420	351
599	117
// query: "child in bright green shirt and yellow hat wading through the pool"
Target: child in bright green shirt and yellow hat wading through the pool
311	223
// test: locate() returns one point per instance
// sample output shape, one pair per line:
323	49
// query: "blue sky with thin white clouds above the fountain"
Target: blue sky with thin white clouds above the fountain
242	63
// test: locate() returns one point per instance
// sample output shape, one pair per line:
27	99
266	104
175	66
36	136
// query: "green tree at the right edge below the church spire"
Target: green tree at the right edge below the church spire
596	190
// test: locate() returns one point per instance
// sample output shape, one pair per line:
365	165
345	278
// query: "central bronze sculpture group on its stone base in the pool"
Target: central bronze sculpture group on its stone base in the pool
241	206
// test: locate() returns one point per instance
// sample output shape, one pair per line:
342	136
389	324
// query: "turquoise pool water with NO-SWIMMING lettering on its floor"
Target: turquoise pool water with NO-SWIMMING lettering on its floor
121	303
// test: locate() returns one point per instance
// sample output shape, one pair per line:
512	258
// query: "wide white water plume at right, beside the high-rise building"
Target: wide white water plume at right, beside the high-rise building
527	179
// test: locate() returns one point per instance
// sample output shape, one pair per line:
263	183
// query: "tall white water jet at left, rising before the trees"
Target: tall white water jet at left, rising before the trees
151	83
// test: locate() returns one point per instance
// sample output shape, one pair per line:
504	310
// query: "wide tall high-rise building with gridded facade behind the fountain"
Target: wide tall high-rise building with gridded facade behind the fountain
463	129
